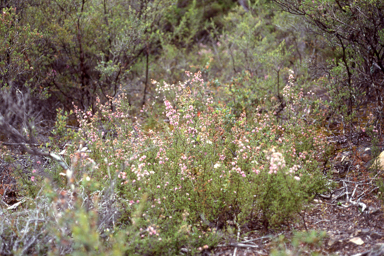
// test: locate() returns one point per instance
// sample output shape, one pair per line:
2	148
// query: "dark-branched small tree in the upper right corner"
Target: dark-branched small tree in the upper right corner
355	30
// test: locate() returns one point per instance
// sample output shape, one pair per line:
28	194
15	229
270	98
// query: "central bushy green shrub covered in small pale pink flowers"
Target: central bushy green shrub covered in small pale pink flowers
253	167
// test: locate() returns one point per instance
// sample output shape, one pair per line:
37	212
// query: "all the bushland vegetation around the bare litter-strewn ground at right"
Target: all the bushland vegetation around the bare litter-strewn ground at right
161	127
